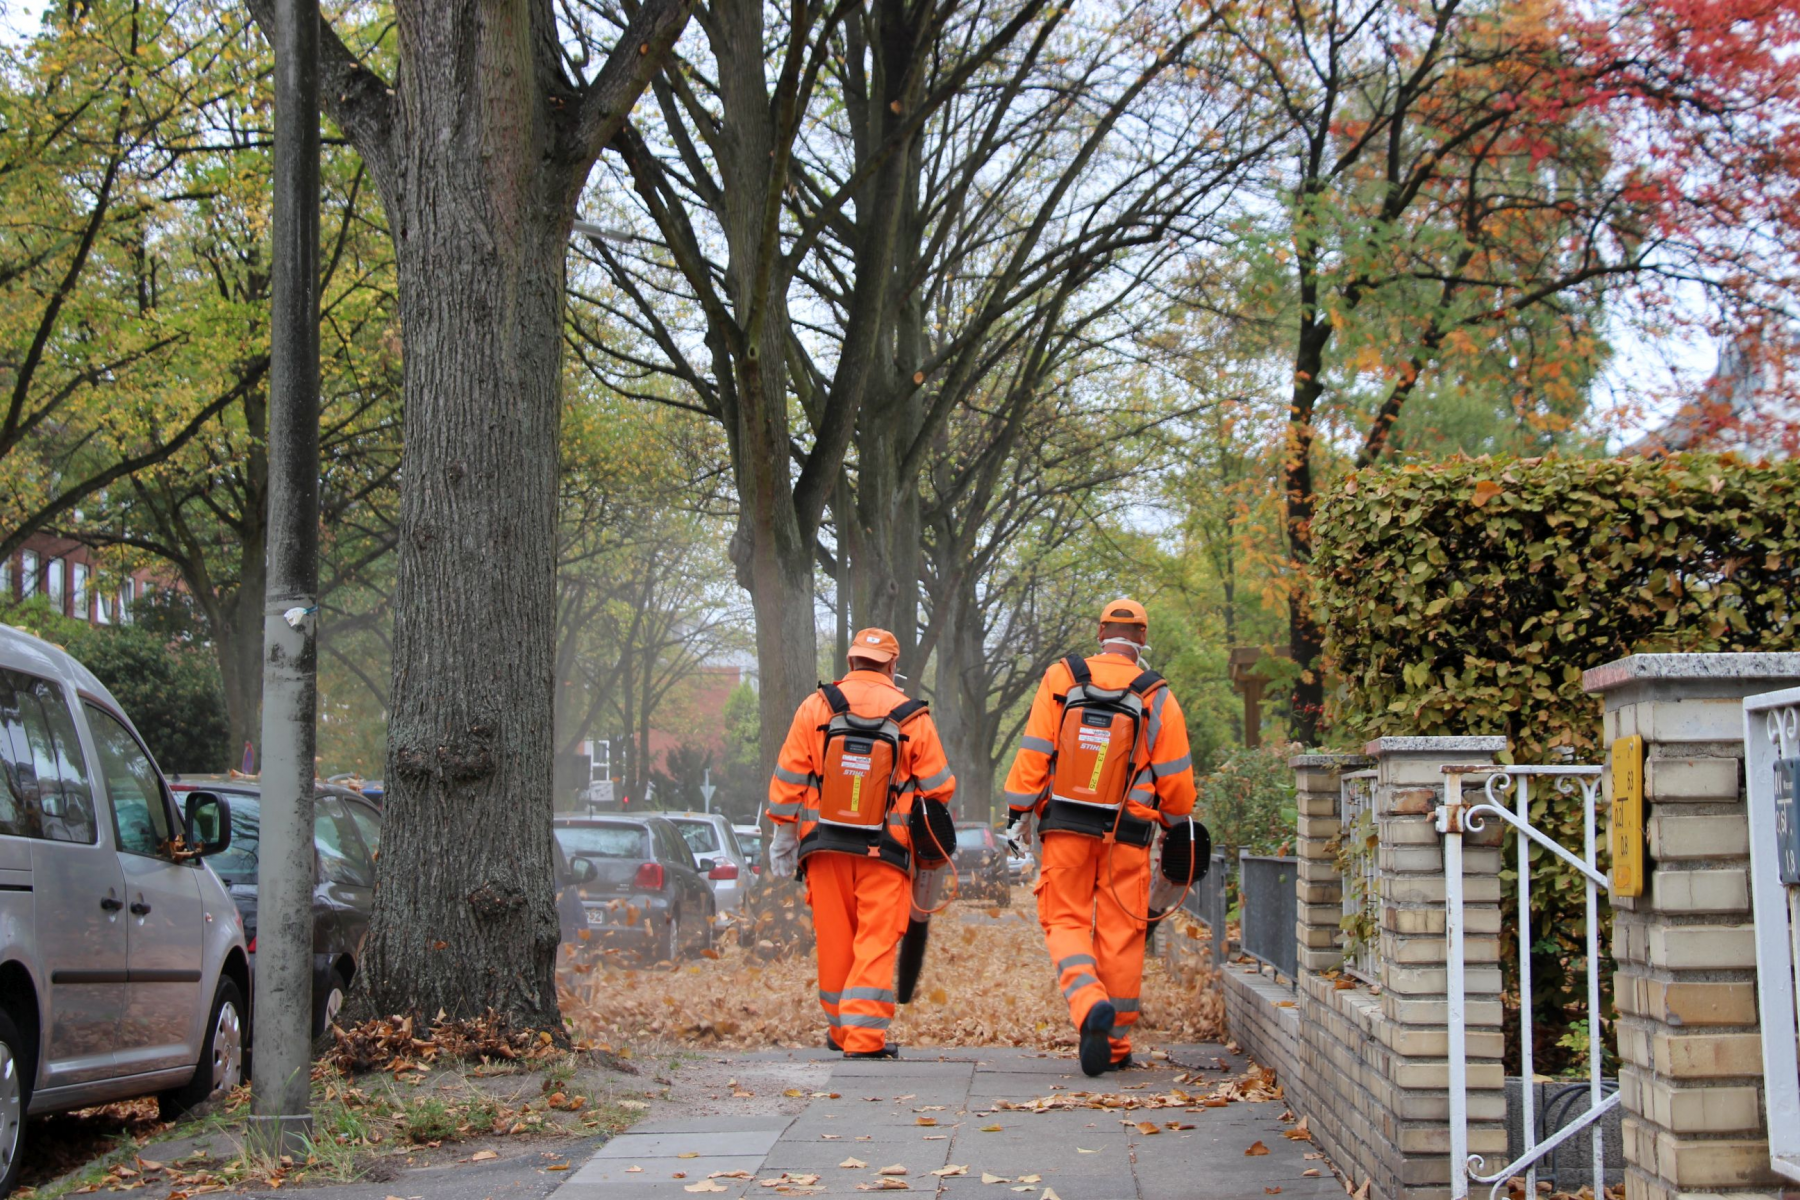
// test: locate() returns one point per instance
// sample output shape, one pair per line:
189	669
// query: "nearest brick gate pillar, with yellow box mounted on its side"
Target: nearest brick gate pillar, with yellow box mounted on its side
1691	1059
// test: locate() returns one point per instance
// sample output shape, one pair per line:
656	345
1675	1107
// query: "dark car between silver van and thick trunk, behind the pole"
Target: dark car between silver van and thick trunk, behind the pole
346	836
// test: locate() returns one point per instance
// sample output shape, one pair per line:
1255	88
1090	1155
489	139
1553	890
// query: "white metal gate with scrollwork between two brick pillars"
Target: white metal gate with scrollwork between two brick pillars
1457	816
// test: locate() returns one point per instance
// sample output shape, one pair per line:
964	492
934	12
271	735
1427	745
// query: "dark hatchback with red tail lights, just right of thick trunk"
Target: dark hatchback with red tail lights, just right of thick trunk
647	890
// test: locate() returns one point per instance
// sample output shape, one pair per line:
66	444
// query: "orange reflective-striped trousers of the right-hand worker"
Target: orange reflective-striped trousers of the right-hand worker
1095	944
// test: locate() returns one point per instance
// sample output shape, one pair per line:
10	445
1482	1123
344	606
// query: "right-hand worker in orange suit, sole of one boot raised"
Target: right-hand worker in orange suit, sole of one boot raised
1102	769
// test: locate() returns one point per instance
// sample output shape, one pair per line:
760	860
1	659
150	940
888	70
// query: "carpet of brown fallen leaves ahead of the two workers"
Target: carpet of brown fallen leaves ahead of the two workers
985	983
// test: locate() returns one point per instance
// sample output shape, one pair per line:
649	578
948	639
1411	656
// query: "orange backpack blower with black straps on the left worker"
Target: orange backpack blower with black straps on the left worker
858	785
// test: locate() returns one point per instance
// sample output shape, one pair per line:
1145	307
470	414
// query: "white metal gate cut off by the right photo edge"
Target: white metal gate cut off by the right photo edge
1772	766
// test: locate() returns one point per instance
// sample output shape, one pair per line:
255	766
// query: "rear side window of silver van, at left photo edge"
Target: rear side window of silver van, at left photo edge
48	784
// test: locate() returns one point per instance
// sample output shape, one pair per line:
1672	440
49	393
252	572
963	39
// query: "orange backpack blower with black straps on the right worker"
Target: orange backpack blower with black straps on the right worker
1095	758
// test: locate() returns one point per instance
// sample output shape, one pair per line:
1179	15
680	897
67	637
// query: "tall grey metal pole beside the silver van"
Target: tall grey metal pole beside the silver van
282	1084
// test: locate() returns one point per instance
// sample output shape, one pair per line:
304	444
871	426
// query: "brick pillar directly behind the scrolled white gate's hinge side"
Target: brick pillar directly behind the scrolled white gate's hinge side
1416	980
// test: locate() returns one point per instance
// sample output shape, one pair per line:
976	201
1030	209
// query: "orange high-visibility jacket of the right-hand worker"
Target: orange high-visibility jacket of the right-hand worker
1160	793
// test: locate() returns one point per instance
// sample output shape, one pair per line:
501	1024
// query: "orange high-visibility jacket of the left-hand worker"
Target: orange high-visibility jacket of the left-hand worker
919	771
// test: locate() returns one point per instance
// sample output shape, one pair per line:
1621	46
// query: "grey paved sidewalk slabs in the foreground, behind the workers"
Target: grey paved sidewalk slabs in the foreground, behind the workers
879	1118
